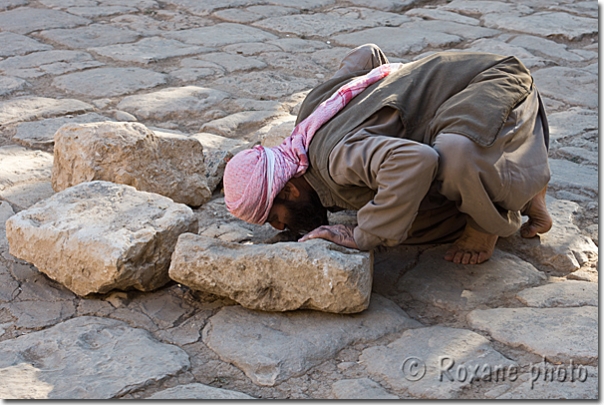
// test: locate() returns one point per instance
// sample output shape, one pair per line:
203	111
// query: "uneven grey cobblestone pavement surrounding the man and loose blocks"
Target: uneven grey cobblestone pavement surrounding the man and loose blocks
522	325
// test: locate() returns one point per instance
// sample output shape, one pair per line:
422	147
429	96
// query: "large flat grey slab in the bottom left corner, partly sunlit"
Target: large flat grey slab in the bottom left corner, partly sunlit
85	358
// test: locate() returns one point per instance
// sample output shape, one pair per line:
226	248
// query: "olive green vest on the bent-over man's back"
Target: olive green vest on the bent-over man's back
466	93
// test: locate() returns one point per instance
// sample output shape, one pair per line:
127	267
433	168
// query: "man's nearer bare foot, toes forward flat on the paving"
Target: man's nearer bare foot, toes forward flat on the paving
472	247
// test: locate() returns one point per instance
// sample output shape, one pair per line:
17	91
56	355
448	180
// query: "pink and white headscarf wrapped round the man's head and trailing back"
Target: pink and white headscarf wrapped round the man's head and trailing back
253	178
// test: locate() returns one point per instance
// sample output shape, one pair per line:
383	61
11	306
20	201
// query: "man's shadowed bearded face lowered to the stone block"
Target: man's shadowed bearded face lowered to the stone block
300	215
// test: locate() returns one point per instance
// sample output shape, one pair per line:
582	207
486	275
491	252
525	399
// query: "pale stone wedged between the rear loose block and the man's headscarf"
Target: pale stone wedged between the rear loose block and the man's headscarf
217	150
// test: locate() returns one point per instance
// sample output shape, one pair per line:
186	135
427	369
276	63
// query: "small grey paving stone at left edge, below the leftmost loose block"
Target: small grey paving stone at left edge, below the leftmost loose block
38	314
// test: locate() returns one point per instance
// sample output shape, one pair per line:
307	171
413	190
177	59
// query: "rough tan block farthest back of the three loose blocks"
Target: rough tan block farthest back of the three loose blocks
130	153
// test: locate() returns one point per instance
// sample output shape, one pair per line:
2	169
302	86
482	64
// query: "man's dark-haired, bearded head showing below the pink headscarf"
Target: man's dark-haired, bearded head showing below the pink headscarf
297	207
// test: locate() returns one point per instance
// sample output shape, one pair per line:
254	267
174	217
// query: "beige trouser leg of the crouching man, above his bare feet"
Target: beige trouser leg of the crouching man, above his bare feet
491	185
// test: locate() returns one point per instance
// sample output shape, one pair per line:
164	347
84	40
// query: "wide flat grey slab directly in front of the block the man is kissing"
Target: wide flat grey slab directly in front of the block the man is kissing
272	347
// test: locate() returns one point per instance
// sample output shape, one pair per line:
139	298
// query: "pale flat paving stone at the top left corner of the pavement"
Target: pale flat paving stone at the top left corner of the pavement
24	20
